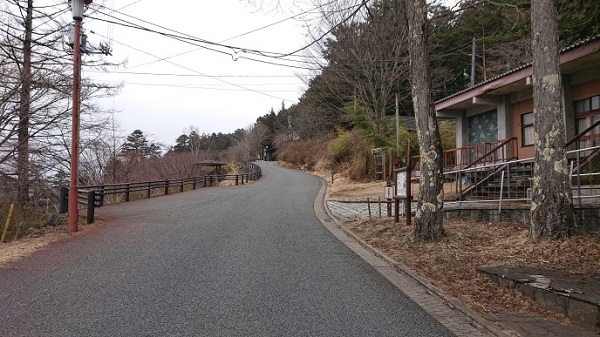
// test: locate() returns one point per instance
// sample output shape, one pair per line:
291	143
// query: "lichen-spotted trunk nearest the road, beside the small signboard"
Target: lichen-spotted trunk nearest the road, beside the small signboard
429	217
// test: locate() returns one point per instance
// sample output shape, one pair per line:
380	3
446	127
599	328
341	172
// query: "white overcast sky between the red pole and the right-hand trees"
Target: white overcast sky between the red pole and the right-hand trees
170	85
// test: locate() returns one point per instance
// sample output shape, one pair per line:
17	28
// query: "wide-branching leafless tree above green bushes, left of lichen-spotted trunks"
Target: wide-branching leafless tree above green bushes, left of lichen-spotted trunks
366	53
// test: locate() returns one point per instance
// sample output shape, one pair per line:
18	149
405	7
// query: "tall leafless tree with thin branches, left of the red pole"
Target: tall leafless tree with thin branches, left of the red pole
35	117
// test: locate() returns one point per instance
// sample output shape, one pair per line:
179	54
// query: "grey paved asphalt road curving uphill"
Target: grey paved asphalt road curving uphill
250	260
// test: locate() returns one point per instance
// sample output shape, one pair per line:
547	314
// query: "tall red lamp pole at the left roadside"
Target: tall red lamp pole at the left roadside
73	210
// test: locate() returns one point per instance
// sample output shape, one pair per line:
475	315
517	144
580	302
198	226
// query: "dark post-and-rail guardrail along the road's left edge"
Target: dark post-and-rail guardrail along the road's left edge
93	196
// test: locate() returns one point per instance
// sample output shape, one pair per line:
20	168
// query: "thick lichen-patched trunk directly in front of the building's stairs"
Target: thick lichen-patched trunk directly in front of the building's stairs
552	203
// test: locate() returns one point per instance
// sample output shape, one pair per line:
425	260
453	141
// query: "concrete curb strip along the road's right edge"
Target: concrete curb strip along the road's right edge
451	301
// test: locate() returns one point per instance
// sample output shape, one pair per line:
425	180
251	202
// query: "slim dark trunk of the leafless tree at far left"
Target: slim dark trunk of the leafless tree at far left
24	112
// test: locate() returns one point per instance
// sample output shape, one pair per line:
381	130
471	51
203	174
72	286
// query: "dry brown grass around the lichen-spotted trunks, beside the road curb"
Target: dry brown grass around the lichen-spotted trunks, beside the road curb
450	264
